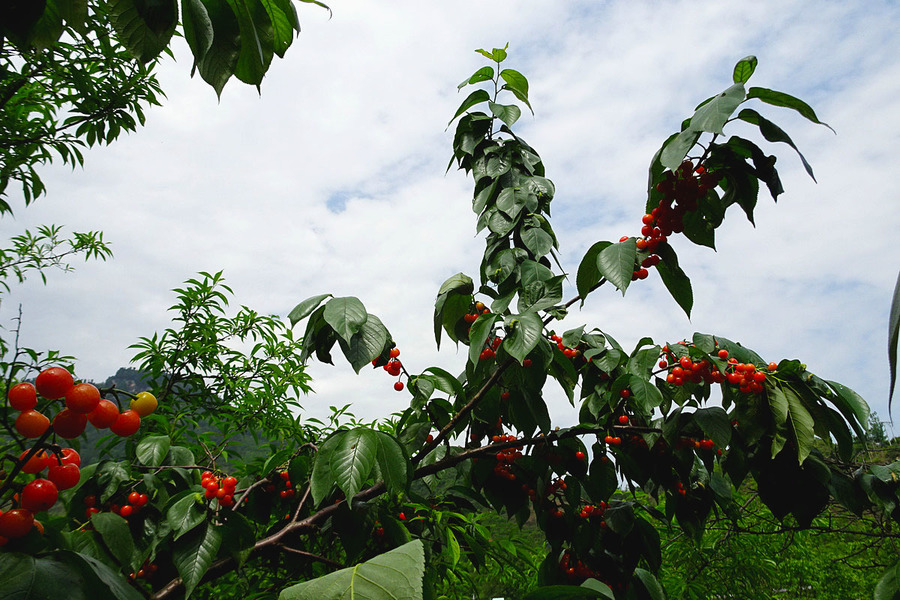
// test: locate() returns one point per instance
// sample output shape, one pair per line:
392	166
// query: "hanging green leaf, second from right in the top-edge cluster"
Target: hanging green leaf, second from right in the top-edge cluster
256	40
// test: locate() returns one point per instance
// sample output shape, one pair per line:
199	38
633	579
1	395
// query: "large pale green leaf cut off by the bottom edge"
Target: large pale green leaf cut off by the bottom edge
394	575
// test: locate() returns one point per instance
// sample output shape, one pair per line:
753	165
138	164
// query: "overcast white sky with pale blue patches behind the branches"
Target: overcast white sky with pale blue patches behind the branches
333	180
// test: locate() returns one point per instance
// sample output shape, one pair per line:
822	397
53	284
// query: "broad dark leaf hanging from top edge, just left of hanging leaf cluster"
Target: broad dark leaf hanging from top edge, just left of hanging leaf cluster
144	27
